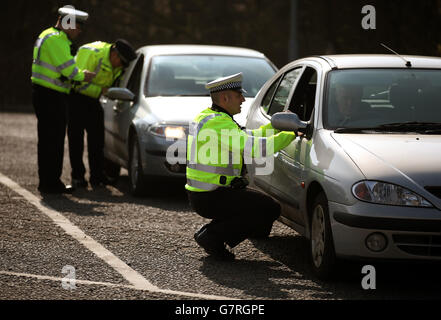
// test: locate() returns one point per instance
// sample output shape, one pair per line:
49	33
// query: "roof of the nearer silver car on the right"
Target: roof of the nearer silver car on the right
348	61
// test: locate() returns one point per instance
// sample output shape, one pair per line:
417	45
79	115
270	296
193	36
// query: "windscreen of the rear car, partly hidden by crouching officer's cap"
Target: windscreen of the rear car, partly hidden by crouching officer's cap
186	75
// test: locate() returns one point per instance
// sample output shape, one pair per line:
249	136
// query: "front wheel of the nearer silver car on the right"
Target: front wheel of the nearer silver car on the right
322	245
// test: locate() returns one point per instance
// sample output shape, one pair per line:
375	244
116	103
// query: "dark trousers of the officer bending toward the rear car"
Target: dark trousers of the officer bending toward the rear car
86	114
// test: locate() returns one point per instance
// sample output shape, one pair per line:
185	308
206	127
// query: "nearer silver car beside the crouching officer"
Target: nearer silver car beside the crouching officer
364	181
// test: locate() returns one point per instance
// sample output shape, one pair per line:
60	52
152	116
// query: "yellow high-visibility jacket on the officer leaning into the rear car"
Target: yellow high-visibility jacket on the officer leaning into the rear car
95	57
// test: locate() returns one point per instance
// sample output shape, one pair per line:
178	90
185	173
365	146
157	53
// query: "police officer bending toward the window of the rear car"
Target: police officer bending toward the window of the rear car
85	111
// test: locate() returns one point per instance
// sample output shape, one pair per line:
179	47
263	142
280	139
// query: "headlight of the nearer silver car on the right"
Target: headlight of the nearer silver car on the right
387	193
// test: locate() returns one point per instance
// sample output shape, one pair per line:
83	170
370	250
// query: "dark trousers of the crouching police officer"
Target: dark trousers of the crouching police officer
237	214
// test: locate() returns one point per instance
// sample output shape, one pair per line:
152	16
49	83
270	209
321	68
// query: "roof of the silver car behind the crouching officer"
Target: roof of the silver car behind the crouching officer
199	49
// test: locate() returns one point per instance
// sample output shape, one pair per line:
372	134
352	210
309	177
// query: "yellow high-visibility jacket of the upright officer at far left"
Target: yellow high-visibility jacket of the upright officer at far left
53	65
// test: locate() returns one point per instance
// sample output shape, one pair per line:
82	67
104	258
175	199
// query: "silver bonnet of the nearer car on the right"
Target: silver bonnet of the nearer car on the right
402	159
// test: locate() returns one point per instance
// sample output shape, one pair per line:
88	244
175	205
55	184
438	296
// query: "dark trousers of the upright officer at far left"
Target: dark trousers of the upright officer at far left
50	107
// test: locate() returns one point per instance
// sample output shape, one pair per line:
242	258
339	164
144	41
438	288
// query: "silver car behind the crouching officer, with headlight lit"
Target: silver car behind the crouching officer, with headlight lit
147	116
